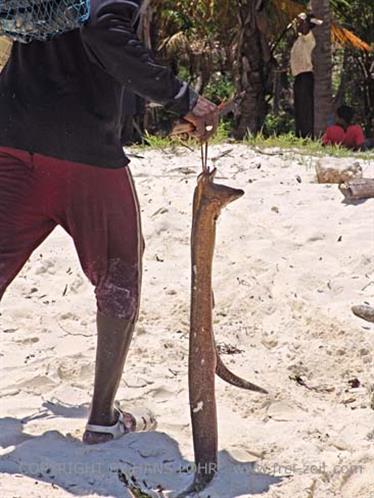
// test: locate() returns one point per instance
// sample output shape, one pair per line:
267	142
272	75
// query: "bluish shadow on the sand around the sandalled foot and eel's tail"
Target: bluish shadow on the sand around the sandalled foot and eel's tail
151	457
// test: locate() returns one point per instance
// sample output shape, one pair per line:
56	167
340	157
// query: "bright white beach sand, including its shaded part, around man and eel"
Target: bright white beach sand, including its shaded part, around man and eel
291	259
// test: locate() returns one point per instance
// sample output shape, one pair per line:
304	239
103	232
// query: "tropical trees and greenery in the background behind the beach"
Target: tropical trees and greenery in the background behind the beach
242	47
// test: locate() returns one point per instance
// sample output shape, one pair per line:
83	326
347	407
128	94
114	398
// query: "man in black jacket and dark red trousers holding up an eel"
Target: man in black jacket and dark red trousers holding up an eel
61	163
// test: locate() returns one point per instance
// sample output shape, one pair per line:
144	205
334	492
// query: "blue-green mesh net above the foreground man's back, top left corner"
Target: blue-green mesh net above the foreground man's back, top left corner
28	20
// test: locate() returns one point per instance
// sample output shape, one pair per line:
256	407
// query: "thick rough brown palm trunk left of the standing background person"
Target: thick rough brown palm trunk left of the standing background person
249	69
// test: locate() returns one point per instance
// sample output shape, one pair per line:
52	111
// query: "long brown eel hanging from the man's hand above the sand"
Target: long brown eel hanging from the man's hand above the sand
204	360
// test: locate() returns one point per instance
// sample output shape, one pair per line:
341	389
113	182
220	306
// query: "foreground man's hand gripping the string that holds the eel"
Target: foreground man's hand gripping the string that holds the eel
205	118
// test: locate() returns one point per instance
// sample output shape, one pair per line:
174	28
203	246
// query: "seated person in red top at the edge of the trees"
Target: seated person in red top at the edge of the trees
343	132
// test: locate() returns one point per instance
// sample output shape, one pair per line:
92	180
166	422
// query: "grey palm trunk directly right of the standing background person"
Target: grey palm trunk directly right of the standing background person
322	67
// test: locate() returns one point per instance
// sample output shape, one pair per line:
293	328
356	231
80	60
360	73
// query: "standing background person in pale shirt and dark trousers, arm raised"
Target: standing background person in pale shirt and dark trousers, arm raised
302	70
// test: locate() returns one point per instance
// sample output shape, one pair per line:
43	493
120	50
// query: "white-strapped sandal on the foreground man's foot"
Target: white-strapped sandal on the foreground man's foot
136	421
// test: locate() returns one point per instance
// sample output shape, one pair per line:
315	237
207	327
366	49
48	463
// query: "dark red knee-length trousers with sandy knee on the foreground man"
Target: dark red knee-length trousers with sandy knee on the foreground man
98	207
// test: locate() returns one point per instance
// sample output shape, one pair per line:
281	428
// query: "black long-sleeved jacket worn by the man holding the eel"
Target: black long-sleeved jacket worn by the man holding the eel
63	98
